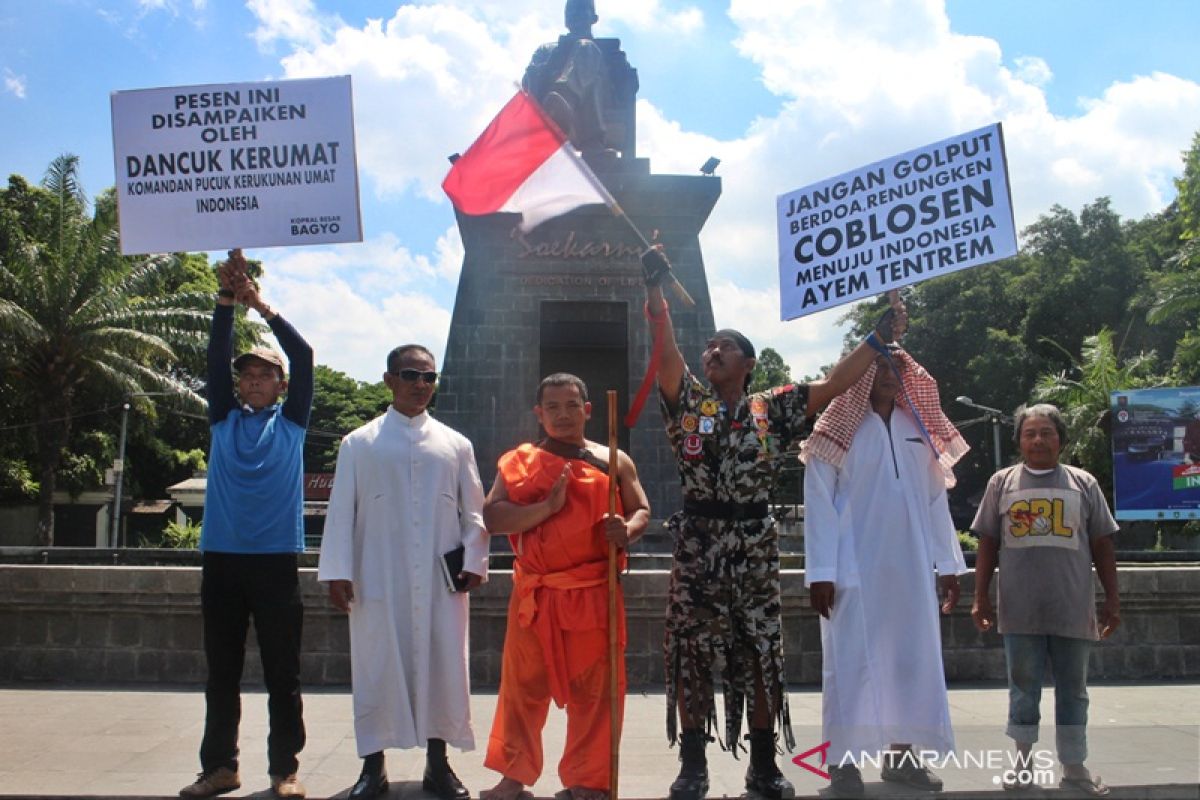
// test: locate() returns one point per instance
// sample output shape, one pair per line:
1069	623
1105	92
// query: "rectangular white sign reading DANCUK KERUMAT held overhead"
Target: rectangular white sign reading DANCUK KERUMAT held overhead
248	165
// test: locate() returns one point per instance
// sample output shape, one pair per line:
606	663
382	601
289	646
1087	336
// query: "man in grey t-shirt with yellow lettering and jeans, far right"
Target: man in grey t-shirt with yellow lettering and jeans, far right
1048	524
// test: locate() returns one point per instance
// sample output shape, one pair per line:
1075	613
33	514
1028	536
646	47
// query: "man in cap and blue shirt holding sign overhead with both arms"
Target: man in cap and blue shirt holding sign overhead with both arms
253	532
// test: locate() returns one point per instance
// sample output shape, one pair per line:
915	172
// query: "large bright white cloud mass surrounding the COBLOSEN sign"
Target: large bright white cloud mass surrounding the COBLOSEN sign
863	82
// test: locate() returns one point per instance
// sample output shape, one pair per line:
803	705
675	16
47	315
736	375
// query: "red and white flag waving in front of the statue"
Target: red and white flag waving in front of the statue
523	164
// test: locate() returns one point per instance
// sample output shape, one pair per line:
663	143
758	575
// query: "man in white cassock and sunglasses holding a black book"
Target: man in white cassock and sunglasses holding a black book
406	494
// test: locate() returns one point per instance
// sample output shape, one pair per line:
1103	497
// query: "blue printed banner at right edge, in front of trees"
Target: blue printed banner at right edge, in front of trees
1156	454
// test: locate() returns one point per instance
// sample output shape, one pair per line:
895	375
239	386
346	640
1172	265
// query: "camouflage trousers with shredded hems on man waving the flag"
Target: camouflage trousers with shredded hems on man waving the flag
724	621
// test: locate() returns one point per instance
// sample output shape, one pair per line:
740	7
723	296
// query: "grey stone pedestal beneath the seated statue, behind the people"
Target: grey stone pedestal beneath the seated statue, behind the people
569	298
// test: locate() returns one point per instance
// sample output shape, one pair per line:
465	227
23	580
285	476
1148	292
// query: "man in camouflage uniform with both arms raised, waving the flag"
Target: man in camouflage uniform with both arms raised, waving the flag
724	607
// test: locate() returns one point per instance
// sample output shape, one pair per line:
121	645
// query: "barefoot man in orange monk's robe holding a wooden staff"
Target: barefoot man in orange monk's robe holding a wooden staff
553	500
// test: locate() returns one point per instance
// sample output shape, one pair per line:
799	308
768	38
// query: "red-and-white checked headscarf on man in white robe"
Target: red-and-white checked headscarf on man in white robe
836	429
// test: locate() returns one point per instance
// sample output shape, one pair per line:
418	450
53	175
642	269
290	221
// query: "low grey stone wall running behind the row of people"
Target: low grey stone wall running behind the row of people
142	624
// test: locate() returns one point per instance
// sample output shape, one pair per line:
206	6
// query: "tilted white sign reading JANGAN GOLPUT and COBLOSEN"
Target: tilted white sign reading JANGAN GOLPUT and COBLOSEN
926	213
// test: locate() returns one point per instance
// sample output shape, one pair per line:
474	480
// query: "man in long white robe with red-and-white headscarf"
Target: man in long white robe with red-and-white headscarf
877	528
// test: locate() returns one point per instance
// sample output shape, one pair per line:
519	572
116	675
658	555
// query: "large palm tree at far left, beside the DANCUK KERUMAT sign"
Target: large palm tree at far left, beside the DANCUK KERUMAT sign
80	318
